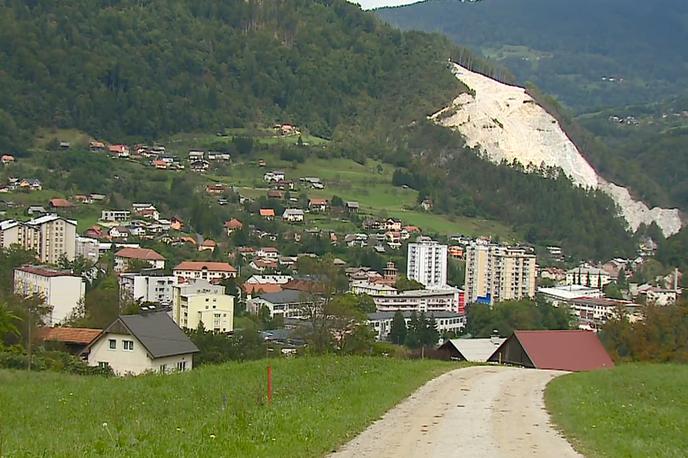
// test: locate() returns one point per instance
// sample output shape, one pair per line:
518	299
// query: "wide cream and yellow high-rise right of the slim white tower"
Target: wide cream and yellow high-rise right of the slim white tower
497	273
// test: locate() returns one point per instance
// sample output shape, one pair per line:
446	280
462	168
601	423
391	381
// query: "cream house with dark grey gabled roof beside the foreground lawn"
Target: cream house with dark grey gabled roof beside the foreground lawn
135	344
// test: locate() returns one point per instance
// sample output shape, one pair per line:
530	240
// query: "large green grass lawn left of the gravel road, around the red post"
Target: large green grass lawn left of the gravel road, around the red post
319	403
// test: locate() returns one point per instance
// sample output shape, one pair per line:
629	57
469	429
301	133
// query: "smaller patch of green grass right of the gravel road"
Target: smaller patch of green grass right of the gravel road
633	410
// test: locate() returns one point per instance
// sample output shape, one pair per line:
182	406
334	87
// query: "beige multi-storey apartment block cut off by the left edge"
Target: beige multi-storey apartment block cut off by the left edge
50	236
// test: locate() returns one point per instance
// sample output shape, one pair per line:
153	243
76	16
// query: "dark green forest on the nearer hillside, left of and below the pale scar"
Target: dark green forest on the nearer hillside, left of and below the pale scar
145	70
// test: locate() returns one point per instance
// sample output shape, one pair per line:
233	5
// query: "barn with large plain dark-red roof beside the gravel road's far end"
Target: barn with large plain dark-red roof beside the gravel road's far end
558	350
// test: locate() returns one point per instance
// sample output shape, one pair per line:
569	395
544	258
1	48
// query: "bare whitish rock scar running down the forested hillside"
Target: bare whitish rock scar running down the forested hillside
507	124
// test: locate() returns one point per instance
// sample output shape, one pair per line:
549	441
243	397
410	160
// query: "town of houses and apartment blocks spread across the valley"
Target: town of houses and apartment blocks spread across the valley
270	265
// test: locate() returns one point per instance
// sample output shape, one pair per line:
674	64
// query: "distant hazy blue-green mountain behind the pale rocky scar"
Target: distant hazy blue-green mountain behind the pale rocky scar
589	53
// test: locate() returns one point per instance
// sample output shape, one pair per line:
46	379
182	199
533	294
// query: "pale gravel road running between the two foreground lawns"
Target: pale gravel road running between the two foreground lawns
472	412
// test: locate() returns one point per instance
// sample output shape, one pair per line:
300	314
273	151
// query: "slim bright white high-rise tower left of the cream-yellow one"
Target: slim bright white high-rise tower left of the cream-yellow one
427	262
